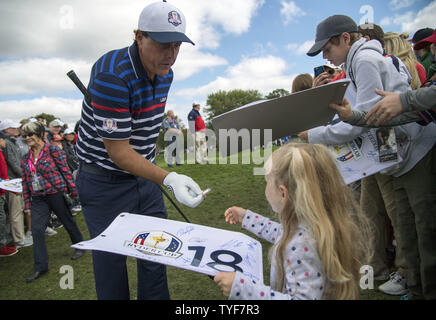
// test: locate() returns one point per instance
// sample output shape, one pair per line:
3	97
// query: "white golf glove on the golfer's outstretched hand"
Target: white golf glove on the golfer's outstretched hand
184	189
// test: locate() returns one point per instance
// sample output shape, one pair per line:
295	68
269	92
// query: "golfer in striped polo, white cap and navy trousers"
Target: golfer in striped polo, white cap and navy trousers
117	145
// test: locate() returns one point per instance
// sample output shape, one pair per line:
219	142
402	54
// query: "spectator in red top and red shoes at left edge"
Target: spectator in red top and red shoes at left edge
5	249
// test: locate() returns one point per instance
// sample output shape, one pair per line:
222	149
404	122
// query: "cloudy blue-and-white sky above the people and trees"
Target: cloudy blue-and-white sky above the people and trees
240	44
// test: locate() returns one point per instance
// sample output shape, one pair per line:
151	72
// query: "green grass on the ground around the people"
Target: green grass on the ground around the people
230	184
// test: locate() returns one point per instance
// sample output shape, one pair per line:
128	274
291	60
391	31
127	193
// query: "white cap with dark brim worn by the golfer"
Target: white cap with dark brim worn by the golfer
164	23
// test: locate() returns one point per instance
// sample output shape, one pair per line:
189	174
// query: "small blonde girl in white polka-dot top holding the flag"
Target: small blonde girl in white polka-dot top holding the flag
319	243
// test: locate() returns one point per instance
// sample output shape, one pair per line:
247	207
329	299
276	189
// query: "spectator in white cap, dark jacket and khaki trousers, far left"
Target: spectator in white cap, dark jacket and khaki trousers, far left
15	201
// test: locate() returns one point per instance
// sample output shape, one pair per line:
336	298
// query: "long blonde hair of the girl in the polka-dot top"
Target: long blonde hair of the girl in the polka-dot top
319	198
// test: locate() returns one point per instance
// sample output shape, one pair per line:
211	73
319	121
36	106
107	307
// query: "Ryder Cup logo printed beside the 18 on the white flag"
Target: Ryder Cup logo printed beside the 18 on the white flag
157	243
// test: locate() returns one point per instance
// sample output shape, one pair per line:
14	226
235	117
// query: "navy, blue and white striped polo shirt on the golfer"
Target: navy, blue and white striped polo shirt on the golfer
126	104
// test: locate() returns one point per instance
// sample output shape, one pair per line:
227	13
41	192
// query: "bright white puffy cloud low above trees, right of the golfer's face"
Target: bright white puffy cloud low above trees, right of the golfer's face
263	73
